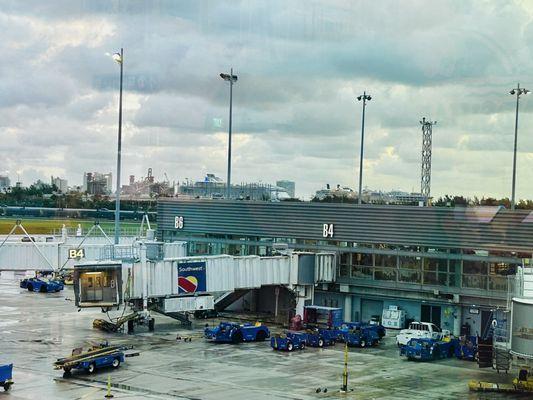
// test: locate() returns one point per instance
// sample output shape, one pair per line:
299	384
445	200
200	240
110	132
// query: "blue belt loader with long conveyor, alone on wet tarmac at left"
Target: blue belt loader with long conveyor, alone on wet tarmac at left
96	357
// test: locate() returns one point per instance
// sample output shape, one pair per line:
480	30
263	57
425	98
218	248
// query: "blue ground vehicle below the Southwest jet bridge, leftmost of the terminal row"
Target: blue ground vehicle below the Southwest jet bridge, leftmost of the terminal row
231	332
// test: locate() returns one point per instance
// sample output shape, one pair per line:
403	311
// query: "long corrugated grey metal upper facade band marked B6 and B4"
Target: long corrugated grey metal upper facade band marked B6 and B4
402	225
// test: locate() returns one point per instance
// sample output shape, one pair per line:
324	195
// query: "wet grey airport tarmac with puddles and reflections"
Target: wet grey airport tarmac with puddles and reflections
38	328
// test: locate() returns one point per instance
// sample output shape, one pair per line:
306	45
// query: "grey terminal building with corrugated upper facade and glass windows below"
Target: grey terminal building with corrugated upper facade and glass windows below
450	266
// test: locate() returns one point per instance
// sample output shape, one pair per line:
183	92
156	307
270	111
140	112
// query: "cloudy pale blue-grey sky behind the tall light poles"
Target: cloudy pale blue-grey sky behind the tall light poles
301	65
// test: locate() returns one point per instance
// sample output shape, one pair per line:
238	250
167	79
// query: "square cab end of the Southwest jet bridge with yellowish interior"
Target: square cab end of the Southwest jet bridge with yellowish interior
98	284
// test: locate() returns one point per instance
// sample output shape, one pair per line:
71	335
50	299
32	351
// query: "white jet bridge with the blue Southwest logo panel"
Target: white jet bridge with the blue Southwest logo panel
183	284
